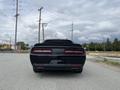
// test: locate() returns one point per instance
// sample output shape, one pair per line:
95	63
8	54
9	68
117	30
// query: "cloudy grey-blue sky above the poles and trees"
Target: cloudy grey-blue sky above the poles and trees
94	20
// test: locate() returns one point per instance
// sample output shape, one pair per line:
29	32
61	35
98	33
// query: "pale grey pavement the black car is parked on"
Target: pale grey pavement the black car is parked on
16	74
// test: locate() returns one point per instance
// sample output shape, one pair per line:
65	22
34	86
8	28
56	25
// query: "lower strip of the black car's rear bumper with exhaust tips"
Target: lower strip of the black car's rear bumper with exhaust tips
58	66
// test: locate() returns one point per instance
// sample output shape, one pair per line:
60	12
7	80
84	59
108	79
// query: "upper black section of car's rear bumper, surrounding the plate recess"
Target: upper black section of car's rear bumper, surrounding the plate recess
66	59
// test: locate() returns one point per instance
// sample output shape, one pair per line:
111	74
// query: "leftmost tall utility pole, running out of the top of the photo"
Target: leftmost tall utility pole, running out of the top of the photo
16	24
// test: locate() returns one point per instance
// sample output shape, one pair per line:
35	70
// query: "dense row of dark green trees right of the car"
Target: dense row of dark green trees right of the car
107	46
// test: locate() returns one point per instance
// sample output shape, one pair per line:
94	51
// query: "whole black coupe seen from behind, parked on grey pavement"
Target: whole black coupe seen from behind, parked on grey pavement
57	54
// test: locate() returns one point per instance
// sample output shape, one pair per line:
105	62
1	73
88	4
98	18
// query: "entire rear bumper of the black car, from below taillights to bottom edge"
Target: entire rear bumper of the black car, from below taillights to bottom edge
68	62
